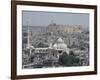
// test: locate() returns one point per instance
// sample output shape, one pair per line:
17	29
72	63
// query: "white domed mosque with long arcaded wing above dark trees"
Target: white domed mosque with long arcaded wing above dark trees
56	49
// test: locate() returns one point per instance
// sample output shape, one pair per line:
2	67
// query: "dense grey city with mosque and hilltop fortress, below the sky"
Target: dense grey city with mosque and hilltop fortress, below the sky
55	46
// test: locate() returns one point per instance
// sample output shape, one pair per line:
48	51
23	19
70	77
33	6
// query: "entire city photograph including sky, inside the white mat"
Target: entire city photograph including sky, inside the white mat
54	40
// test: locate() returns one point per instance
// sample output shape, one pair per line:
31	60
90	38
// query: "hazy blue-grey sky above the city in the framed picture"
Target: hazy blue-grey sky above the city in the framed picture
34	18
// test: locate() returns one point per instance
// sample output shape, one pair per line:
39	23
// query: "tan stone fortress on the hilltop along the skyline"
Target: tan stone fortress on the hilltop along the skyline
66	28
